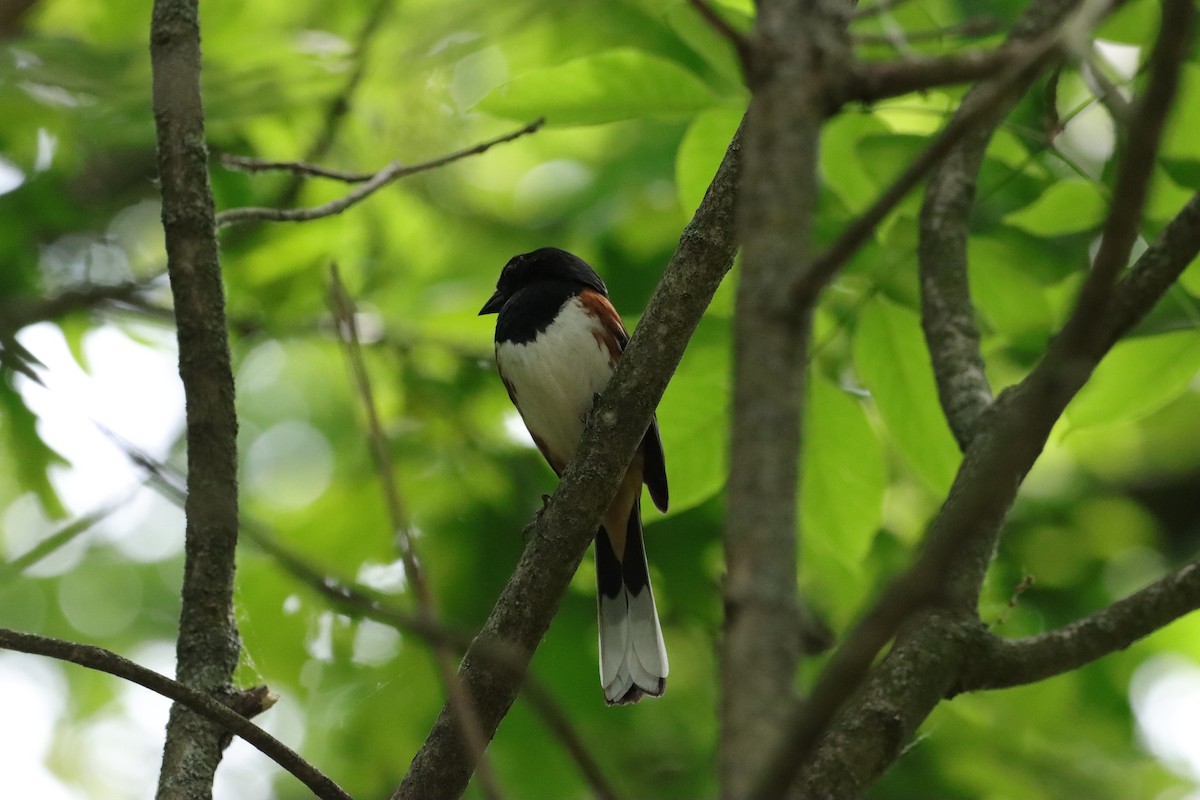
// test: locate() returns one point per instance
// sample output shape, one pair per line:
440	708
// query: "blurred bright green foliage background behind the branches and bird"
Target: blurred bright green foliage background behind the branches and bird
641	99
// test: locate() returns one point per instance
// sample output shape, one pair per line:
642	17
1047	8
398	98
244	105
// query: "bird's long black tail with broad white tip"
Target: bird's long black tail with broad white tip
633	657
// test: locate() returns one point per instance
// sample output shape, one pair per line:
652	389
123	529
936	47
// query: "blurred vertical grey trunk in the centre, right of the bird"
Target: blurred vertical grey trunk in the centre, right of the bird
795	47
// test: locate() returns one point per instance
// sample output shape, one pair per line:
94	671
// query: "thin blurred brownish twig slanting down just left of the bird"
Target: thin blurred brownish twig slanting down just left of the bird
344	312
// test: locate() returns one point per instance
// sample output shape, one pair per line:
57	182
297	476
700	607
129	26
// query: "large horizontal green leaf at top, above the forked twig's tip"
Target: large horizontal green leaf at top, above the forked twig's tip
620	85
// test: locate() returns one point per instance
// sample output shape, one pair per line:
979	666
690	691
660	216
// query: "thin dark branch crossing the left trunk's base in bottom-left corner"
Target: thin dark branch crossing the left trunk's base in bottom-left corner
248	703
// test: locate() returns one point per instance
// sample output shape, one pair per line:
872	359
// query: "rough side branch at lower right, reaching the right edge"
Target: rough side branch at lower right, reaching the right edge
997	663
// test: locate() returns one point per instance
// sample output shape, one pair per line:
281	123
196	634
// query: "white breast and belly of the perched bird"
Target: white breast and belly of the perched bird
557	376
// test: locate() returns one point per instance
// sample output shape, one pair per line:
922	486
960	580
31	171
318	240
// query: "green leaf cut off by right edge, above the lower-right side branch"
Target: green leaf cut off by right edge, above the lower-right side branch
1138	378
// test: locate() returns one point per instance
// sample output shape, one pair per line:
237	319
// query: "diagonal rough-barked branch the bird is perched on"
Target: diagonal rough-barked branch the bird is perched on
562	533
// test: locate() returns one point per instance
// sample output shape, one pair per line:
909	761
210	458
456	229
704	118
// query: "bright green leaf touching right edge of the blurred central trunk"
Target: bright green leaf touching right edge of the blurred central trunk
843	482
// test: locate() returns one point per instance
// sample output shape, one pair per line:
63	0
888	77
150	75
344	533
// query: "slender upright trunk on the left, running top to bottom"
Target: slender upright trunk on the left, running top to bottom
208	646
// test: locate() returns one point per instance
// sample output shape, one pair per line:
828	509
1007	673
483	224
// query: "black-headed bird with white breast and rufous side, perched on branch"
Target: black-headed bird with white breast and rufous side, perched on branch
559	340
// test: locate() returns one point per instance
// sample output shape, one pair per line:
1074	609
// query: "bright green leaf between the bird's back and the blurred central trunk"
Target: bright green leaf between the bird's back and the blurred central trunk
694	418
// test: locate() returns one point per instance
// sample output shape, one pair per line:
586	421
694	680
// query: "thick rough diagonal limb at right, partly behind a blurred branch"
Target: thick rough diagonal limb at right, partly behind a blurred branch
932	651
